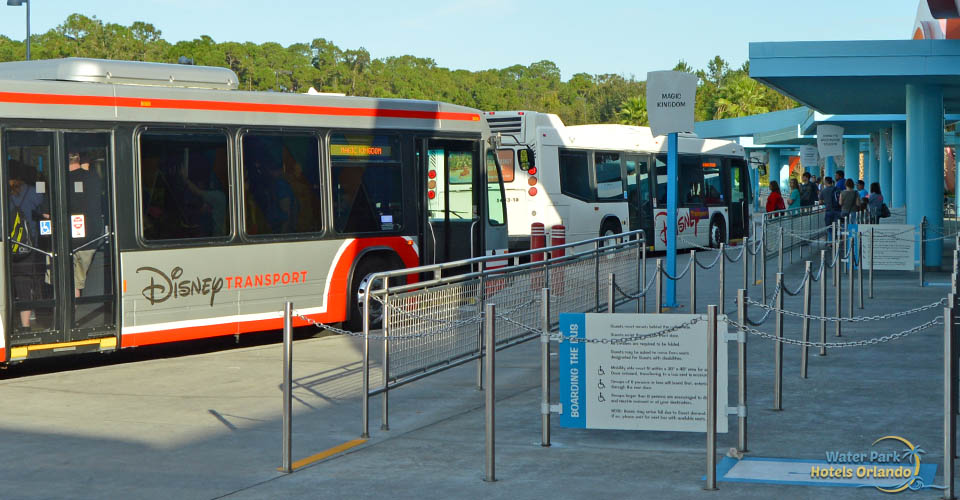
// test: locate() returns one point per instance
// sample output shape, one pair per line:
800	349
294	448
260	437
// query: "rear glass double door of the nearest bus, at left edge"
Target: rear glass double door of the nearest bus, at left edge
59	247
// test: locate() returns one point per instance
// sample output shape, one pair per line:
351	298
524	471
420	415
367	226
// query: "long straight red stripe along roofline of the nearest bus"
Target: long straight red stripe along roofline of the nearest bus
242	107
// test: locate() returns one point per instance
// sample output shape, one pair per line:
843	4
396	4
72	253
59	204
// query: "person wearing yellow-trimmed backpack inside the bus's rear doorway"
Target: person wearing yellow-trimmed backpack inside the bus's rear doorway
26	264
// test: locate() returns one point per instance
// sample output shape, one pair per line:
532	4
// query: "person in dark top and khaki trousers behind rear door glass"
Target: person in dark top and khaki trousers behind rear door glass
86	201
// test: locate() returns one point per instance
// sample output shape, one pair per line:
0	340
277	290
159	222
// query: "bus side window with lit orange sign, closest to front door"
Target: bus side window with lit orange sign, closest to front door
367	183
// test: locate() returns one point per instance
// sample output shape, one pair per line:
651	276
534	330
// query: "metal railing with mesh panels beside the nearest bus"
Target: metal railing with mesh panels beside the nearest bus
432	325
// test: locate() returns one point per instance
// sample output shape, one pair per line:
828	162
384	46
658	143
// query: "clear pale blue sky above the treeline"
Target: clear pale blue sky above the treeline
597	36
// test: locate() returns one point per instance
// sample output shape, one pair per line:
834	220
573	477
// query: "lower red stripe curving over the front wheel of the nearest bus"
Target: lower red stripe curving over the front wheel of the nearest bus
336	300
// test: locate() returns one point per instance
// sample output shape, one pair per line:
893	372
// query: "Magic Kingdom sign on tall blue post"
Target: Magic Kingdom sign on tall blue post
671	96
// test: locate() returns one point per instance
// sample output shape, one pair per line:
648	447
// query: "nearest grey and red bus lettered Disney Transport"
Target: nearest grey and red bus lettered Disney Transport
147	203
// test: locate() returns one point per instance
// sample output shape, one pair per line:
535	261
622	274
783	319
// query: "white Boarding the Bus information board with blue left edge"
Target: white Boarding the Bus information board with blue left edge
658	384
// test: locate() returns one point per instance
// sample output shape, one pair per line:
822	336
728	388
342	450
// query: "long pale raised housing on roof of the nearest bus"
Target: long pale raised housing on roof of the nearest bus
75	69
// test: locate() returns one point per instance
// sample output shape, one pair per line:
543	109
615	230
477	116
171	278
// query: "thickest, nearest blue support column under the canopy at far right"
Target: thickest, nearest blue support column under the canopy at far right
925	163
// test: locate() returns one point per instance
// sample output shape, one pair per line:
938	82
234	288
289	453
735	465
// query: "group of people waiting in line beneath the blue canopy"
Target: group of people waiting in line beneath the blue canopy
840	197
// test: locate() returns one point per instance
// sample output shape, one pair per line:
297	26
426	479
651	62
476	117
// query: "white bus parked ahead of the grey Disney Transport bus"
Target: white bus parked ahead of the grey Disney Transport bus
606	179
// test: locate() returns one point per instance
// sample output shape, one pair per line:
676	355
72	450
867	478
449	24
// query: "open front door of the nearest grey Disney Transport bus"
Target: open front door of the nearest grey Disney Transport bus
453	184
